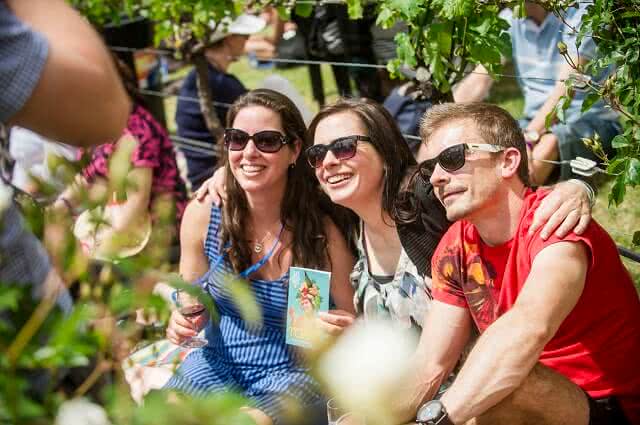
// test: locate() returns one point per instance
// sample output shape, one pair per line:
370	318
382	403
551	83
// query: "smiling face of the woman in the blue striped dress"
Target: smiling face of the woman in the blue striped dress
257	171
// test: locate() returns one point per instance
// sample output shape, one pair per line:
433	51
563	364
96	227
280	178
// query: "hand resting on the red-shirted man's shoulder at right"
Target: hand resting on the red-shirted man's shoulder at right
566	208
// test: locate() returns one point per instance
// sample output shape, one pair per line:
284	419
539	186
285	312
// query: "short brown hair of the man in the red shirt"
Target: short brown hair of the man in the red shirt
495	125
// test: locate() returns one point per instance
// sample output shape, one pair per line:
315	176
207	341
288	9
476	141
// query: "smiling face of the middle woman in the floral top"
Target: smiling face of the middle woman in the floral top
356	182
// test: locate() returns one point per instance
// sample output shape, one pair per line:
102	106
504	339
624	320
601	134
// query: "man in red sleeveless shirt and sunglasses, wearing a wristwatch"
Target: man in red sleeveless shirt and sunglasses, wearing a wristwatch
559	319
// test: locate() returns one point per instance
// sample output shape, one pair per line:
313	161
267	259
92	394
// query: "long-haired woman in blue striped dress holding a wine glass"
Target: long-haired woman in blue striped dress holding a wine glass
270	221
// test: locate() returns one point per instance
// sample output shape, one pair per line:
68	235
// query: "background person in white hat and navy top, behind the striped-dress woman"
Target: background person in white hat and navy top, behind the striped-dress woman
226	47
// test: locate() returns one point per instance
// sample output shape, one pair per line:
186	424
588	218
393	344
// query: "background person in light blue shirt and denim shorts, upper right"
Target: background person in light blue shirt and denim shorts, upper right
542	69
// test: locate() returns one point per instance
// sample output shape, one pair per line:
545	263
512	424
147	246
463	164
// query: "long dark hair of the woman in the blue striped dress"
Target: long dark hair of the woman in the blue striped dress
300	211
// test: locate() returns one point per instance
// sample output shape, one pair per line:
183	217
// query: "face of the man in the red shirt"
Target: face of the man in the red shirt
466	191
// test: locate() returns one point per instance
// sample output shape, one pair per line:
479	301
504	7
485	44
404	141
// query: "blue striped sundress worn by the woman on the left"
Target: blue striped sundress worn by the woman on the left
253	360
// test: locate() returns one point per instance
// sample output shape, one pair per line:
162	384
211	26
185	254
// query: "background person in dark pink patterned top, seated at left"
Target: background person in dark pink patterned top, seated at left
156	176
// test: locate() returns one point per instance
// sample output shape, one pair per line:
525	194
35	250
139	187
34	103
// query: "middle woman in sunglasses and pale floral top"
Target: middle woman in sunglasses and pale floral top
361	162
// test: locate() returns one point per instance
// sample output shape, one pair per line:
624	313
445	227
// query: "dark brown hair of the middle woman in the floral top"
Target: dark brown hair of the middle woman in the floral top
386	138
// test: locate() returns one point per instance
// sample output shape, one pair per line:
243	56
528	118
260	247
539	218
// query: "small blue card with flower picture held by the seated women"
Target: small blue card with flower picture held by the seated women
308	294
